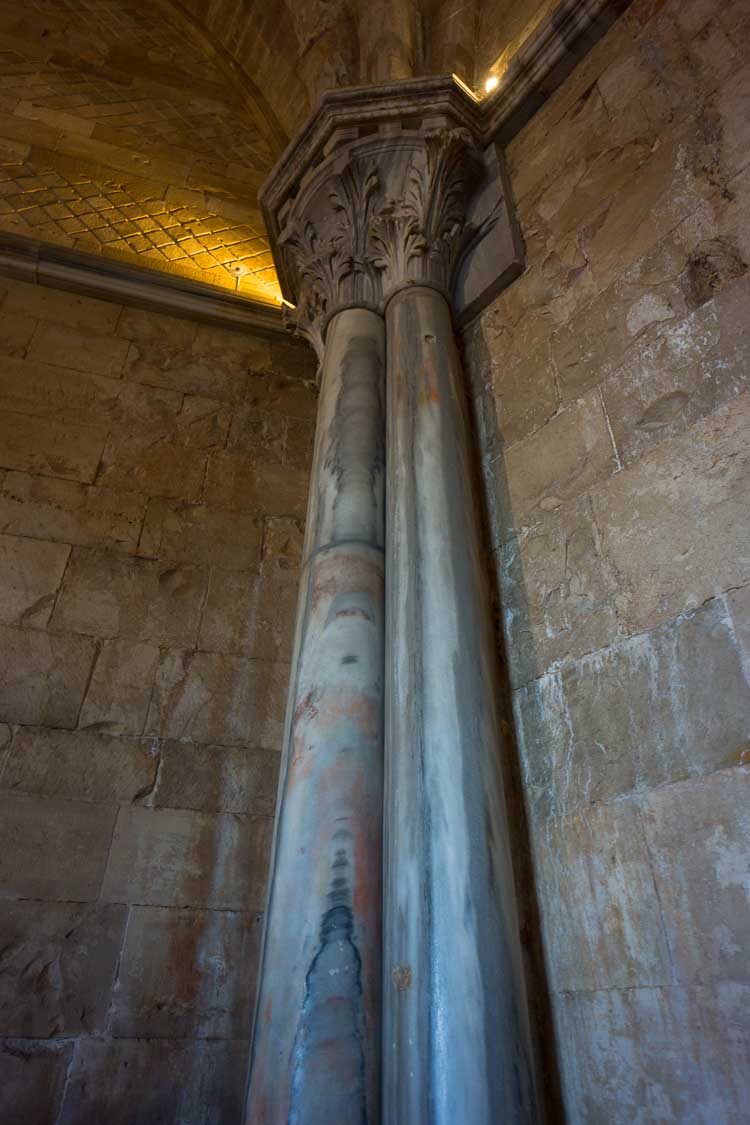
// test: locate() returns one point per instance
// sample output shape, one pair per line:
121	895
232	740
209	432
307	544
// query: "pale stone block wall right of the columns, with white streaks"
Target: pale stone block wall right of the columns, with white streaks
613	398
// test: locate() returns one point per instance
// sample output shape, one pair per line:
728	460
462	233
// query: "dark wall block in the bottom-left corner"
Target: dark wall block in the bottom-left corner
32	1081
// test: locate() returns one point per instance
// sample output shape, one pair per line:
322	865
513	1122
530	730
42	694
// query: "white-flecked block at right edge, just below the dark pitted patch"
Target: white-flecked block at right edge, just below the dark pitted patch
672	382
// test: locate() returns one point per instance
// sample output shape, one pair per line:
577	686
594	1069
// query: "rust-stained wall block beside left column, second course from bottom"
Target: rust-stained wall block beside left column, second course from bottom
187	975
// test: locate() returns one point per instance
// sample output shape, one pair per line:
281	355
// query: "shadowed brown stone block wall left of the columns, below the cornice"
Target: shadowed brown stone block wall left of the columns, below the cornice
153	488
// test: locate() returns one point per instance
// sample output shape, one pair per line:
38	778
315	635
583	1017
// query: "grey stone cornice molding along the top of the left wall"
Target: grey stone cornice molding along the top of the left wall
94	276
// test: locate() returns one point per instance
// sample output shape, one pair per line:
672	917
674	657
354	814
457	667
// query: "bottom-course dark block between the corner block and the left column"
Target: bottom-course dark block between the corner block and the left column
167	1083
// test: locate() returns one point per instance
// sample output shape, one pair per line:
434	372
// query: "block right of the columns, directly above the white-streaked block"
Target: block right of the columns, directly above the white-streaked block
557	592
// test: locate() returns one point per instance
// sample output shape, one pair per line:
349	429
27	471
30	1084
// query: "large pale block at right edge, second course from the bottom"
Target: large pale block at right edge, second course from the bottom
699	838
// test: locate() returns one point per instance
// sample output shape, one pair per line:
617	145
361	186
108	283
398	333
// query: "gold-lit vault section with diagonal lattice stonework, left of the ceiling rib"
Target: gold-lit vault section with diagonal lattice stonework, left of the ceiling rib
121	134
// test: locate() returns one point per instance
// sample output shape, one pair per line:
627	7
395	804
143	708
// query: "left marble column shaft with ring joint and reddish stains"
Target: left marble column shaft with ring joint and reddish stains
318	1028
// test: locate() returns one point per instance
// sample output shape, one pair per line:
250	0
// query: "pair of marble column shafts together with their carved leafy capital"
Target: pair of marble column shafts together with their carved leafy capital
392	986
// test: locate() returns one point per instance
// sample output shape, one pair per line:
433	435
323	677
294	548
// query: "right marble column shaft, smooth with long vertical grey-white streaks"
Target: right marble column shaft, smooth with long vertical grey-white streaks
456	1036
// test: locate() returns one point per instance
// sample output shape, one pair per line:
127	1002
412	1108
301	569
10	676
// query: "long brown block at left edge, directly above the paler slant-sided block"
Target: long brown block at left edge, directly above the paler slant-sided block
70	512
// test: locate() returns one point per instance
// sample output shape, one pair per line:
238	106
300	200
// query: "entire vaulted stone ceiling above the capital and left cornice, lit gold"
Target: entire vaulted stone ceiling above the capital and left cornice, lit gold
142	130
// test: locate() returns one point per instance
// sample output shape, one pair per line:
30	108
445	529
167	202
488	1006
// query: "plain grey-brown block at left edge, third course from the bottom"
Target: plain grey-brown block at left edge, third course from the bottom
53	850
